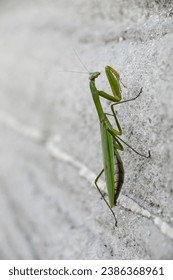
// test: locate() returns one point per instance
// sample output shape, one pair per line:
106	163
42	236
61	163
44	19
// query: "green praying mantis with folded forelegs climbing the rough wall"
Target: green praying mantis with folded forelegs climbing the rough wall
111	142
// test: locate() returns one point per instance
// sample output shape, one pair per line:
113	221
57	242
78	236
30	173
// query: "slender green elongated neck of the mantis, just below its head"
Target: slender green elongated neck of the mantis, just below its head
96	98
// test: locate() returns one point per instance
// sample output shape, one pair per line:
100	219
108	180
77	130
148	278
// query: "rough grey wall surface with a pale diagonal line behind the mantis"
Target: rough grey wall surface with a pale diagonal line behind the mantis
49	131
